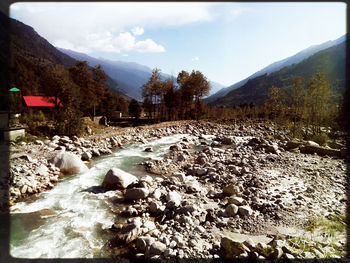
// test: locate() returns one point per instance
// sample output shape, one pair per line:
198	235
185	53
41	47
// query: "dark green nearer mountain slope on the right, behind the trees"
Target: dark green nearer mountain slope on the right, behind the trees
330	61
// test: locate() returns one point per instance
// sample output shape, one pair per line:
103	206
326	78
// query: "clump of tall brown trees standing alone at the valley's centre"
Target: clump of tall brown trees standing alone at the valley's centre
174	99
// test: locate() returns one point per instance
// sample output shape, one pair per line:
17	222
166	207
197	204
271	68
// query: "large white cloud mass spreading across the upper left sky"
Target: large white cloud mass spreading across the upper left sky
107	26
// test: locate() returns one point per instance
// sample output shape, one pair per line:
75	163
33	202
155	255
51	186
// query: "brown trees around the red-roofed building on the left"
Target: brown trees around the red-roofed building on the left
81	91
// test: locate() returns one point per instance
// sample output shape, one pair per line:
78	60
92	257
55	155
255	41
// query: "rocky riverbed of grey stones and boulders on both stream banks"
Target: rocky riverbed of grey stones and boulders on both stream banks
239	190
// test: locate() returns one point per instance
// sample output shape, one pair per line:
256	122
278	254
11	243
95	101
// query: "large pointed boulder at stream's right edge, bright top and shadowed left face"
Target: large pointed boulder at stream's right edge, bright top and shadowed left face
117	179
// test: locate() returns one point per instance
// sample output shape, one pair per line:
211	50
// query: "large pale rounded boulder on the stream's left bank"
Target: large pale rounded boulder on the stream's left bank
68	163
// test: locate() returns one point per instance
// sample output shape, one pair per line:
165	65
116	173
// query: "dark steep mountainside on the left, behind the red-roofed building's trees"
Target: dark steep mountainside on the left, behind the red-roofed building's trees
30	54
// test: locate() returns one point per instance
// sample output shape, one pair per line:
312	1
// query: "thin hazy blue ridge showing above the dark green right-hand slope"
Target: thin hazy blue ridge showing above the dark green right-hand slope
295	59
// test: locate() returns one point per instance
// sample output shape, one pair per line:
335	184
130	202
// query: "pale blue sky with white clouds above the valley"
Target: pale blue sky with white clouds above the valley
226	41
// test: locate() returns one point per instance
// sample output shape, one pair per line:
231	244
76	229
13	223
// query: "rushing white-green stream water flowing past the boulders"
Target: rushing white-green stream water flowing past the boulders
70	221
